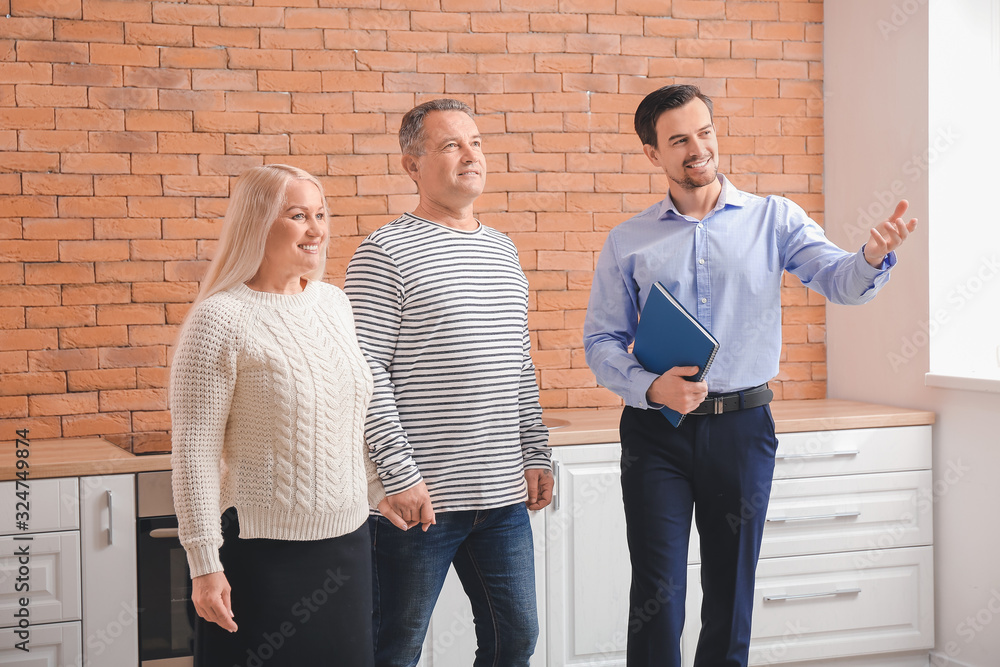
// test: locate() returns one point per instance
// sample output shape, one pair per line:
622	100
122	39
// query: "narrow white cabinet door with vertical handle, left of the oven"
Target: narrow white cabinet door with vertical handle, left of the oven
107	531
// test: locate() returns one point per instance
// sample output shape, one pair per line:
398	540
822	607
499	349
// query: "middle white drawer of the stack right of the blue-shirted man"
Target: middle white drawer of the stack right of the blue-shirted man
863	513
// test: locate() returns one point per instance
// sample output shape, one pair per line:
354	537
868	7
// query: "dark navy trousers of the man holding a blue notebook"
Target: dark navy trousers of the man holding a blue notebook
719	467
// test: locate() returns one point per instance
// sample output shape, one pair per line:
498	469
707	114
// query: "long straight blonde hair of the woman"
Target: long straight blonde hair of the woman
256	202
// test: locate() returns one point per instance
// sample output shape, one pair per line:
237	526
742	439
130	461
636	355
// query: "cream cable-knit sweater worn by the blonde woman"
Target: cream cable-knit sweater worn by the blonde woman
269	394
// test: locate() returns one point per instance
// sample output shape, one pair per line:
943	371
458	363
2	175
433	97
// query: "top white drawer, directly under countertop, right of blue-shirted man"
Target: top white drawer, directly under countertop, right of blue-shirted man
819	453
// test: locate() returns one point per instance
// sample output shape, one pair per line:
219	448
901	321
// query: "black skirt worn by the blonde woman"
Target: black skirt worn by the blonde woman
295	603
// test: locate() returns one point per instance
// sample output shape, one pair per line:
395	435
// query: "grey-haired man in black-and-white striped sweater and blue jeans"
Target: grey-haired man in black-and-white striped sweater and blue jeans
454	425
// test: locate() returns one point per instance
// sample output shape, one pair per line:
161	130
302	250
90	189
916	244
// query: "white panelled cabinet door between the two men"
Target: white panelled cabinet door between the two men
587	559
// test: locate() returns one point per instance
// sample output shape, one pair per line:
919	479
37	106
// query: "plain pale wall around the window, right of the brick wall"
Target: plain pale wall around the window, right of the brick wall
877	141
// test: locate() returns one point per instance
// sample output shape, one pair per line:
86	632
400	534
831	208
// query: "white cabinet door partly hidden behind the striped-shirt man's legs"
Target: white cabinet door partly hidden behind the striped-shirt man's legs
451	638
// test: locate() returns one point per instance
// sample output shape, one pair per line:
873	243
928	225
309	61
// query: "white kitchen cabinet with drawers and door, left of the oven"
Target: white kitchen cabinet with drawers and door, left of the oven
80	585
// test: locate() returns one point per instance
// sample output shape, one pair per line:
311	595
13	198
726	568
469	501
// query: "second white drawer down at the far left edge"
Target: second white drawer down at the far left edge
53	578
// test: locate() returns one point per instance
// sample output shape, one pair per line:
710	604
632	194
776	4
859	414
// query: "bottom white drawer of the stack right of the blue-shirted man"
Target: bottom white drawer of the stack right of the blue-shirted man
814	607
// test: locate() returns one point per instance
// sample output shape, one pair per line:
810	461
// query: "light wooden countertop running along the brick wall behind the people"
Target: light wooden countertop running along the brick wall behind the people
95	456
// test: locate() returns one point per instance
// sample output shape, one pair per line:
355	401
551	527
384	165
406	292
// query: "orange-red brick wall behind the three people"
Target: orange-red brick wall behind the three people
124	122
